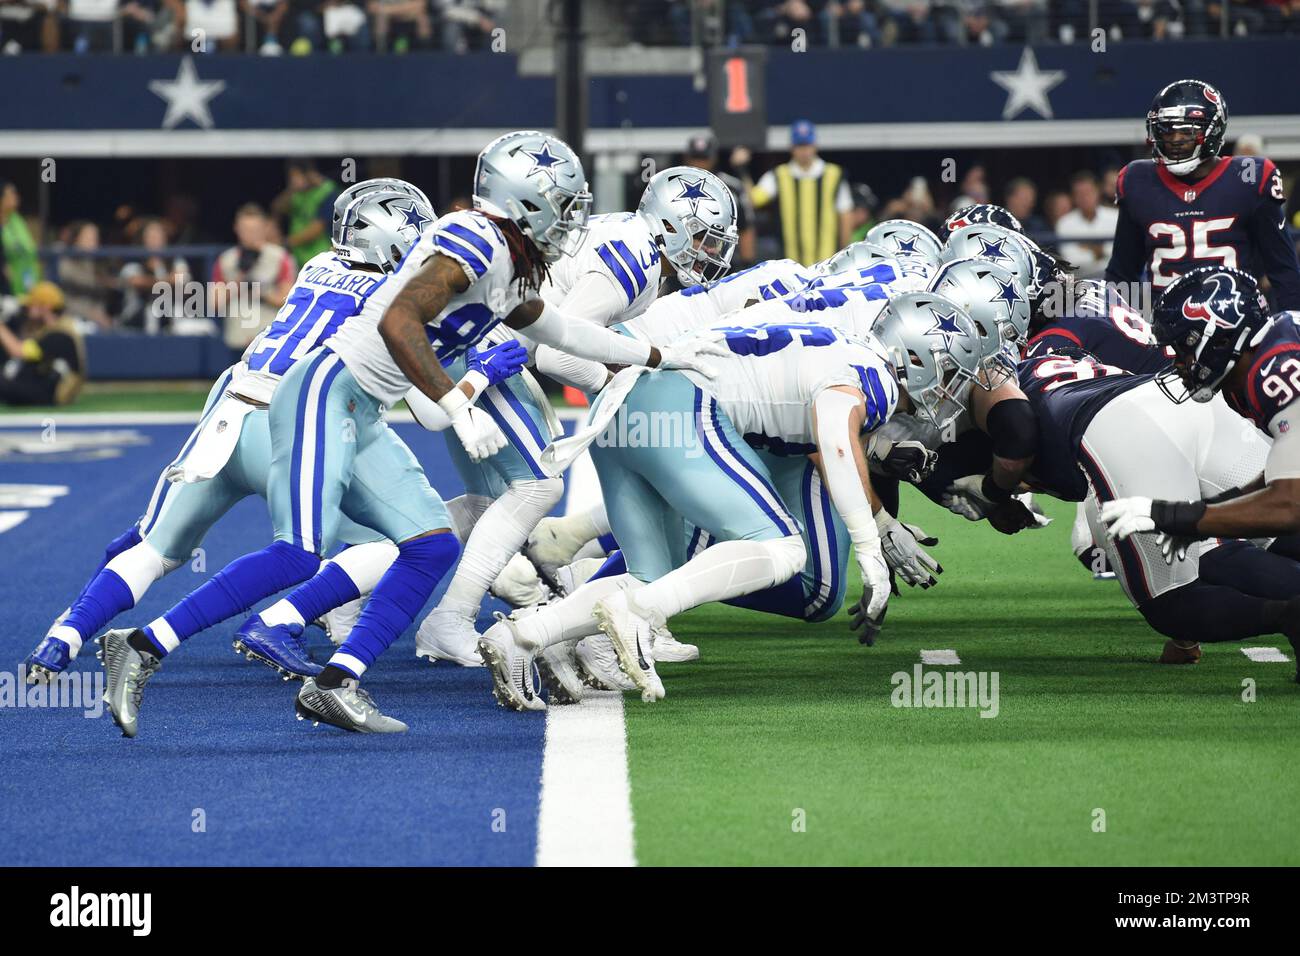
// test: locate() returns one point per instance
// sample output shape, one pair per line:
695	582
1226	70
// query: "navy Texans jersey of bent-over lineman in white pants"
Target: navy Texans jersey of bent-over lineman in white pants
1067	395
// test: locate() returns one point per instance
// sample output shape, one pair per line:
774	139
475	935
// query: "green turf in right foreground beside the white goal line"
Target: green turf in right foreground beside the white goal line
779	717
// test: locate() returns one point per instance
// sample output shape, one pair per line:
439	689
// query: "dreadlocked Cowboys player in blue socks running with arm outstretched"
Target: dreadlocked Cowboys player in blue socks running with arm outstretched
333	451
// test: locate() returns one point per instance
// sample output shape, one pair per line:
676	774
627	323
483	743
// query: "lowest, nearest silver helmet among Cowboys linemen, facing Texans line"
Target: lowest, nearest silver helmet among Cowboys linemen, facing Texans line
935	351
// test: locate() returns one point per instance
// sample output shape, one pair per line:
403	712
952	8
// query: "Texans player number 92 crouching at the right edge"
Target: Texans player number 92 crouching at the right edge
1225	341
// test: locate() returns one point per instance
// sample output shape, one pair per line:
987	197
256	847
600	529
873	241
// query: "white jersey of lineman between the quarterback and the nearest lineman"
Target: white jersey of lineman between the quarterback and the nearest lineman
697	308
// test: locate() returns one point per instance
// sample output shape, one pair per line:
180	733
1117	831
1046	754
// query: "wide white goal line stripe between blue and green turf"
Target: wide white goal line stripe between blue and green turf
586	815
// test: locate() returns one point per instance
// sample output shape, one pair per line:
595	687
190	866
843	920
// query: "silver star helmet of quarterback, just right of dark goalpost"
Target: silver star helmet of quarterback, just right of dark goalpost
692	215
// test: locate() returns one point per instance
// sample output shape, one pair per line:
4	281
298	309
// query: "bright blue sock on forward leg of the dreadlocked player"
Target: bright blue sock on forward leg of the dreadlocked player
401	594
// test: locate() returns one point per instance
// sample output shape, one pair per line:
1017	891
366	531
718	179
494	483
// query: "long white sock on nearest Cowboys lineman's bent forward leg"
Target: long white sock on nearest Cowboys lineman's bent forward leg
726	570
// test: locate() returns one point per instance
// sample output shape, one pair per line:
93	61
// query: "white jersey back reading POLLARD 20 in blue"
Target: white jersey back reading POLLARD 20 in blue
326	295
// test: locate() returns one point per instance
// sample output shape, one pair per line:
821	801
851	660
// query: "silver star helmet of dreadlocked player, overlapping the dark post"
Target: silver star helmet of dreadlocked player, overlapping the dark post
536	181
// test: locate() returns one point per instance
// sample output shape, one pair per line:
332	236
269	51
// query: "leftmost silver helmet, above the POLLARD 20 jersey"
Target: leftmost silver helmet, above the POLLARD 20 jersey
379	227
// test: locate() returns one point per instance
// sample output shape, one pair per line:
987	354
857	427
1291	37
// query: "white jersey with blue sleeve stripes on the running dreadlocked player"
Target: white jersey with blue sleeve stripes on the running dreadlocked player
478	245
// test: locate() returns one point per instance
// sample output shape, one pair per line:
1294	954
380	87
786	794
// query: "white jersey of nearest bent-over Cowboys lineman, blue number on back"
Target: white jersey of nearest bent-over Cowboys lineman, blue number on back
774	374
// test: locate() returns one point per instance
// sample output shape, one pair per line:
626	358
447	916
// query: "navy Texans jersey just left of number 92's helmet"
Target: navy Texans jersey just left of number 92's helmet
1102	323
